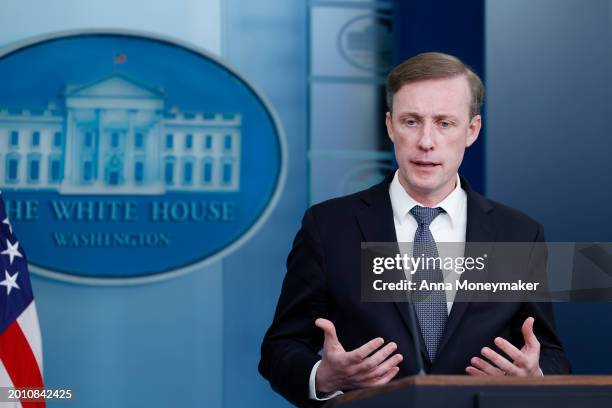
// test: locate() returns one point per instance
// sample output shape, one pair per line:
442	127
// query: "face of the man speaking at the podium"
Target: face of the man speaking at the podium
430	128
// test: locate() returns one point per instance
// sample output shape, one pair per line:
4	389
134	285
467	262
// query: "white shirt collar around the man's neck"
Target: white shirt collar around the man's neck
402	202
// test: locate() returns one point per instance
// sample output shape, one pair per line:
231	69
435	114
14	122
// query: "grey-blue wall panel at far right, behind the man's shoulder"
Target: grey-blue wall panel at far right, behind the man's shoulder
548	108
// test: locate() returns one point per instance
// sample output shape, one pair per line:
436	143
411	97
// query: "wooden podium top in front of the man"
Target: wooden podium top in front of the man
462	391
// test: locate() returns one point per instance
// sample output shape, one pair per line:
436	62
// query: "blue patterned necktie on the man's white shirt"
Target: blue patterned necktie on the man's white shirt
430	306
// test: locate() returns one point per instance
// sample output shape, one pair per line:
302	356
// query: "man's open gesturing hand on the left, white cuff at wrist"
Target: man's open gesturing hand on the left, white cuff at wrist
362	367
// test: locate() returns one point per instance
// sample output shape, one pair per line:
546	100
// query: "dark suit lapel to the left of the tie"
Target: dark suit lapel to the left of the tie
376	224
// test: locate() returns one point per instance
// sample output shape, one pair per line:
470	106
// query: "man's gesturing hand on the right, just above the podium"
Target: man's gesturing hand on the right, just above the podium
525	362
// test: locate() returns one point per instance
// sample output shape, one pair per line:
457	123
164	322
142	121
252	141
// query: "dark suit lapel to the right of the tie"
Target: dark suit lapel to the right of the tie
479	228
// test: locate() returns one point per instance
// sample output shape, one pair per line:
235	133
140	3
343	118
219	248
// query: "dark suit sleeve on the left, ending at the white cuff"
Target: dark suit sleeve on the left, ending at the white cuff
291	345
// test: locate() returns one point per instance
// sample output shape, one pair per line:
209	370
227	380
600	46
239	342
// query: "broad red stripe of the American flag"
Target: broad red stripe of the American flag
19	360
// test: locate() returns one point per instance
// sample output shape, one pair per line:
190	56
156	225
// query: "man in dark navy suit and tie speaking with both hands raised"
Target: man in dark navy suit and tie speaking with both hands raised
434	115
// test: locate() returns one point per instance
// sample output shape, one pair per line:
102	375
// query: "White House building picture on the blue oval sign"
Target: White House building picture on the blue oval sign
115	136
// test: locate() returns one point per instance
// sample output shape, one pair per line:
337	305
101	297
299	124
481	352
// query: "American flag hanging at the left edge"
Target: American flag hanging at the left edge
20	341
